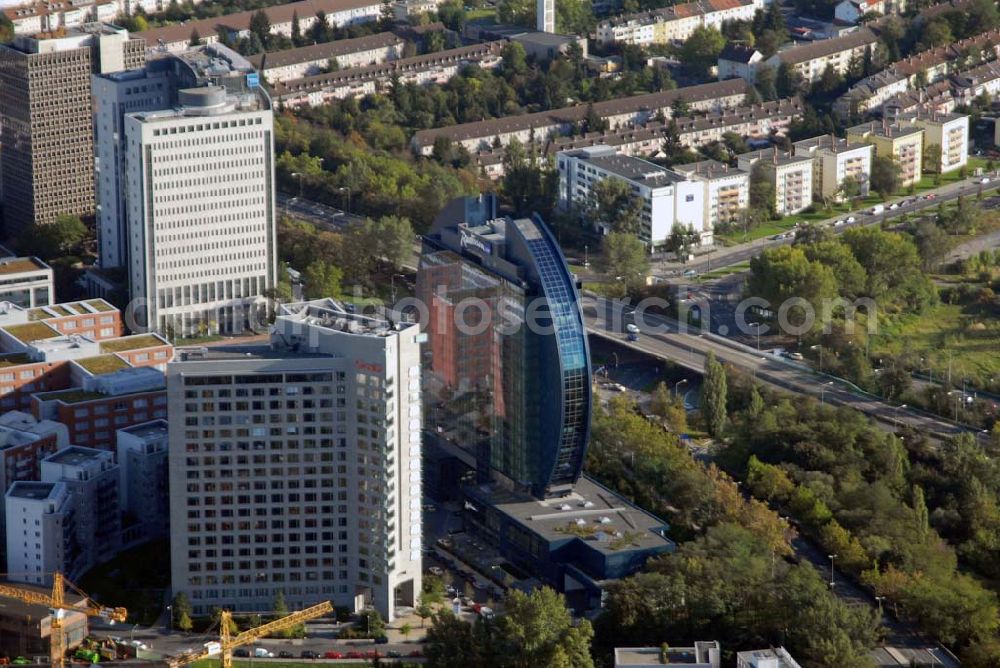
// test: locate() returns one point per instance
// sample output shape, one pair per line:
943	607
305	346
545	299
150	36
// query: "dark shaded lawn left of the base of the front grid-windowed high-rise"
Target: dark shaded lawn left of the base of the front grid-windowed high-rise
134	579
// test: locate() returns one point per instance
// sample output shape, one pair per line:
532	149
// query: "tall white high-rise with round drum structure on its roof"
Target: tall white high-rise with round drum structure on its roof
200	198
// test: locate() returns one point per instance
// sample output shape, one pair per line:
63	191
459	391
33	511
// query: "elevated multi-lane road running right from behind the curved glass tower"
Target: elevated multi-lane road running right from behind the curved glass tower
661	337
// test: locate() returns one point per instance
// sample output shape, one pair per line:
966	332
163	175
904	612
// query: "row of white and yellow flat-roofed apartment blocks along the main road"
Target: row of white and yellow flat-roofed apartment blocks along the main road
706	195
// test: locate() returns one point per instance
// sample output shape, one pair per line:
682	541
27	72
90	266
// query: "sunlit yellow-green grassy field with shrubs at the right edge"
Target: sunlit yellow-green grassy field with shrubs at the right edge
971	341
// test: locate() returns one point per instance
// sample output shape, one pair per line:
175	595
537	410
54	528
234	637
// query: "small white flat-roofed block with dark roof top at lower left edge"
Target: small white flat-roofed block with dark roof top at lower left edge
41	534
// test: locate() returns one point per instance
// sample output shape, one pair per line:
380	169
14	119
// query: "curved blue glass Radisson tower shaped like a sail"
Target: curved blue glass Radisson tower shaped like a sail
508	374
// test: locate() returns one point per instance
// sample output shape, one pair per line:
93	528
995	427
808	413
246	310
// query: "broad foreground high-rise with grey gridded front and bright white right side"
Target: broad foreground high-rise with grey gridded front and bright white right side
295	466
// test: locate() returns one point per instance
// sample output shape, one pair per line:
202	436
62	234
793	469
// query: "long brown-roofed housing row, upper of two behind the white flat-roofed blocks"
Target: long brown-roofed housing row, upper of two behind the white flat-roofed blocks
623	112
